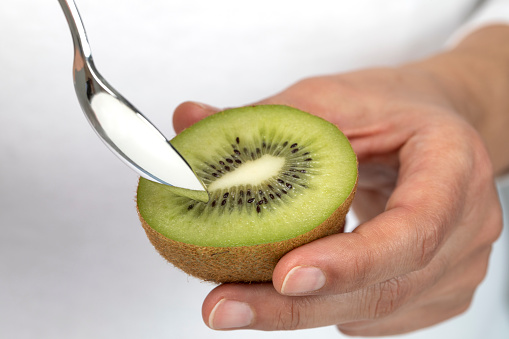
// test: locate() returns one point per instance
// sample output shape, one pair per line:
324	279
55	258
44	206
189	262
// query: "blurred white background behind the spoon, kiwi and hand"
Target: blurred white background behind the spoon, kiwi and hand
74	261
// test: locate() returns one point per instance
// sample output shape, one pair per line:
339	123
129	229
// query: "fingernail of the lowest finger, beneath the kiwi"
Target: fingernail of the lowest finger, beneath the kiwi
230	314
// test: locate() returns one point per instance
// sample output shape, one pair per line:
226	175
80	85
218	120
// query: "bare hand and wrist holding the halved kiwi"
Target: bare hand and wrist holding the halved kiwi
430	138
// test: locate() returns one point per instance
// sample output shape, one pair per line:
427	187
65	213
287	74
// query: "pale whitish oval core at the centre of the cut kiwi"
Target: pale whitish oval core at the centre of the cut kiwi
250	173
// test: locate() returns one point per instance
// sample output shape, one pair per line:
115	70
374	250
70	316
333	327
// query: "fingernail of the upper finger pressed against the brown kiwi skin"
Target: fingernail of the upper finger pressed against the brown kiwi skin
303	279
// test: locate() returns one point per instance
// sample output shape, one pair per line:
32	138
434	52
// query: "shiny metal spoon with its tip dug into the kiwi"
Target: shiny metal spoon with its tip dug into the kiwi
120	125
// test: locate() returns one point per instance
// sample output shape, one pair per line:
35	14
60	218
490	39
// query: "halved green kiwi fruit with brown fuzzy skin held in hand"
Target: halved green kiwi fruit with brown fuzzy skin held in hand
277	177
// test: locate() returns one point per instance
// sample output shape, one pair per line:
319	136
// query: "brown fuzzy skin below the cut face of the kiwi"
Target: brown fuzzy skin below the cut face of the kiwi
243	264
